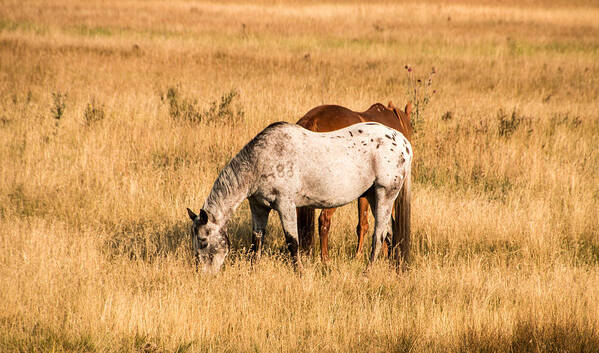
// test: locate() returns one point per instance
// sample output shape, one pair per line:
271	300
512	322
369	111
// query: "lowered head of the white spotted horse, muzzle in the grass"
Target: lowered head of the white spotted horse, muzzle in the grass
209	240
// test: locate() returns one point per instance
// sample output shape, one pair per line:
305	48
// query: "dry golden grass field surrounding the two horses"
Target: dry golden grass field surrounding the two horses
117	115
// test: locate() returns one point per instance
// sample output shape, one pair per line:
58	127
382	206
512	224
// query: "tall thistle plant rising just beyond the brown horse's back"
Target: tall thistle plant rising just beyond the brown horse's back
419	92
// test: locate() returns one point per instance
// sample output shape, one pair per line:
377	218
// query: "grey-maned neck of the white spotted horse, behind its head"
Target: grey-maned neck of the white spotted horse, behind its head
230	189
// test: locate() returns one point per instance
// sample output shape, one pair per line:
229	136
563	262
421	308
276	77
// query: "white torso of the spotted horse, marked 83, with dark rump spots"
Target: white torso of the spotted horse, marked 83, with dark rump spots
331	169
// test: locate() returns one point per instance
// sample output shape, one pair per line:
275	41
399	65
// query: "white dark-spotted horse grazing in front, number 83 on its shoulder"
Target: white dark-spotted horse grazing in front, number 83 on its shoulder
286	166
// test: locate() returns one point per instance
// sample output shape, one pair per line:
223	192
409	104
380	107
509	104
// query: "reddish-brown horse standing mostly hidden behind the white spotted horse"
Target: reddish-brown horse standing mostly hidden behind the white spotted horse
326	118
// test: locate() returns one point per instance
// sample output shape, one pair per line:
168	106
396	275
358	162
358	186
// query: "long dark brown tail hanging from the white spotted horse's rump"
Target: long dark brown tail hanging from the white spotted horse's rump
401	224
